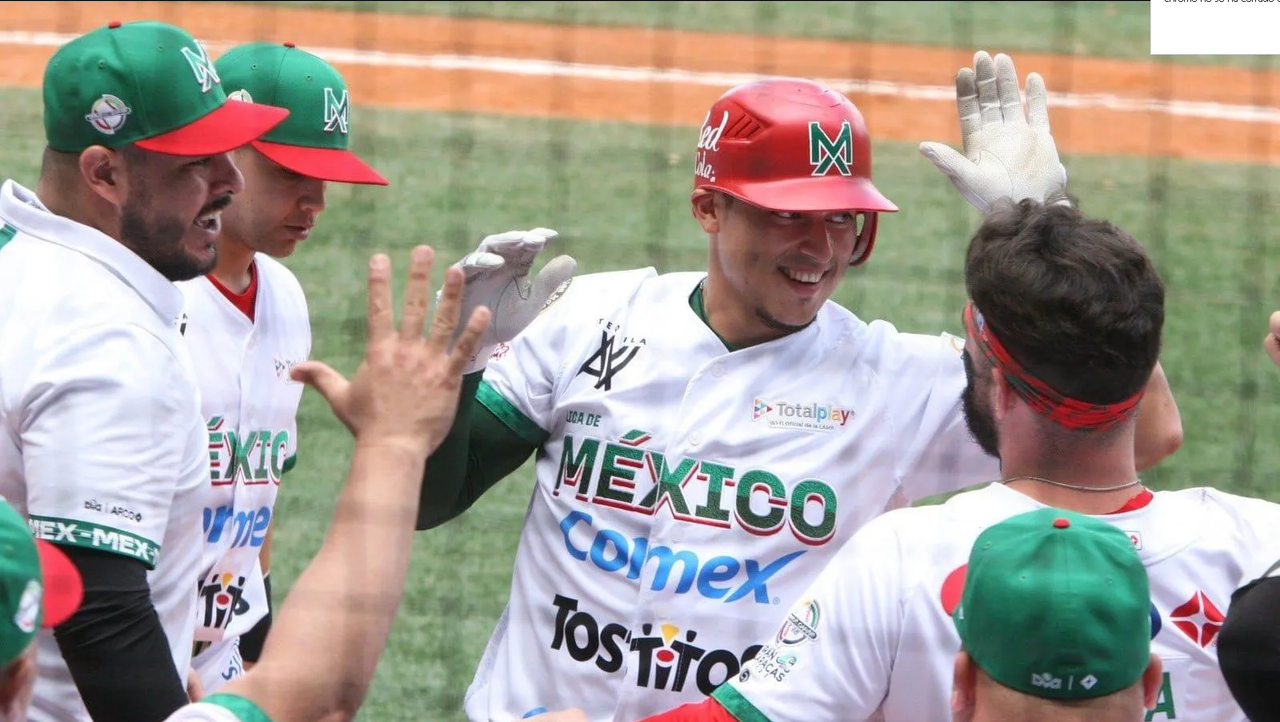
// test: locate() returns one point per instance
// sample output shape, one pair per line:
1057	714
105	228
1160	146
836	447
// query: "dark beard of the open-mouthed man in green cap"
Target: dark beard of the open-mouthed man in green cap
158	241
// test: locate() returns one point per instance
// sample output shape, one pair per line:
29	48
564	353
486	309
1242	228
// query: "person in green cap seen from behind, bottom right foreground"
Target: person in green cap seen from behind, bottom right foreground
1027	573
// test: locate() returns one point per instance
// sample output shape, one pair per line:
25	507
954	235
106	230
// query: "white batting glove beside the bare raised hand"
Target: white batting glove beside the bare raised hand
497	277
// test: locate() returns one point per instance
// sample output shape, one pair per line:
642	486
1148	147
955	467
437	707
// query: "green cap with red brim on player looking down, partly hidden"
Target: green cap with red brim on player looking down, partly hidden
316	140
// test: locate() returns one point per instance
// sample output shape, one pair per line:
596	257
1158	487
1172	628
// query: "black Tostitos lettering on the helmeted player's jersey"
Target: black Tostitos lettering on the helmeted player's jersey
665	656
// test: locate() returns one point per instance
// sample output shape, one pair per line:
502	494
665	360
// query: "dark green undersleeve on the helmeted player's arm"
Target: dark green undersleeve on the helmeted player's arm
490	440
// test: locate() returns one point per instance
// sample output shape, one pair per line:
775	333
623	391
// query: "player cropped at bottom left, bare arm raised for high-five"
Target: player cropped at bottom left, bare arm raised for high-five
399	408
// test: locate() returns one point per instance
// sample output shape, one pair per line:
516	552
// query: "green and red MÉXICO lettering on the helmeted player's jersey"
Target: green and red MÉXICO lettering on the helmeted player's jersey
628	477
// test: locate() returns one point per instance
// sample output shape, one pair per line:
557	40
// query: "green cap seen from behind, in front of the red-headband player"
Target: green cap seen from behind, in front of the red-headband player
1057	605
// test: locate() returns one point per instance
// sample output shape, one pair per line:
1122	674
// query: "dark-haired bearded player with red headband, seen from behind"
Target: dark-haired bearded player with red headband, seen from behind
1063	330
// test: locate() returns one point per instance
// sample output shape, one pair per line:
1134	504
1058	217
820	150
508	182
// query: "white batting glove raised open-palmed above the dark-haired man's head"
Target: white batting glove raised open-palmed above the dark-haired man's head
1007	153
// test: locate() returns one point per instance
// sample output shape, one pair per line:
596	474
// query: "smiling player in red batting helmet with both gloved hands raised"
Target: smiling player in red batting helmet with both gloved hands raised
706	441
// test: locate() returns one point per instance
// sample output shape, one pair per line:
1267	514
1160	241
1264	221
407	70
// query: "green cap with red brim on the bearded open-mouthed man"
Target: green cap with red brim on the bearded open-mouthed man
147	84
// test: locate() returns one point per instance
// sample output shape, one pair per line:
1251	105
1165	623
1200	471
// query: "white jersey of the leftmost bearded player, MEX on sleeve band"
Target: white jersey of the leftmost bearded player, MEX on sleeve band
103	444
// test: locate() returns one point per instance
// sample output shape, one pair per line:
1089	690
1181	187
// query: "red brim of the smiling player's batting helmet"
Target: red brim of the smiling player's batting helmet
804	195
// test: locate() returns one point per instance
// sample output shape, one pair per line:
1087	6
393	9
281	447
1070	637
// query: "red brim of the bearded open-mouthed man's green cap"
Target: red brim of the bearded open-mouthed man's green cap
235	125
